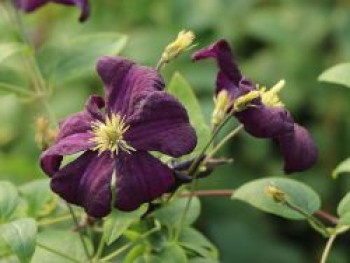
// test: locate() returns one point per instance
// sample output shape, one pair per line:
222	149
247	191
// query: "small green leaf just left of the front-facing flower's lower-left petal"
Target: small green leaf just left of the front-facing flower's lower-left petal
39	197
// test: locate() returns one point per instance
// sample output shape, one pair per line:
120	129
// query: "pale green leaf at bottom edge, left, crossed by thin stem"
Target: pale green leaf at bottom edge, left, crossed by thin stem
64	242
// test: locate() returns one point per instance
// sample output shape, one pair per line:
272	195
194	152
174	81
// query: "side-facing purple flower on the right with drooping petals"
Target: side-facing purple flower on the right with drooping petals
266	116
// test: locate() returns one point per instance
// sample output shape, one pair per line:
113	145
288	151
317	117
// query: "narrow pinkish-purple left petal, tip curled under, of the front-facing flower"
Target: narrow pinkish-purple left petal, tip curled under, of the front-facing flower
50	159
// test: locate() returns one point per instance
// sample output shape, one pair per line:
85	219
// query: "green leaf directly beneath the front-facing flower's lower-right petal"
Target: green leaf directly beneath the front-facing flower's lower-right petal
118	222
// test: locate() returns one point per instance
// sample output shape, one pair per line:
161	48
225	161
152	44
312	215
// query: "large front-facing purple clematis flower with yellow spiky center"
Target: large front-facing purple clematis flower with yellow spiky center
138	117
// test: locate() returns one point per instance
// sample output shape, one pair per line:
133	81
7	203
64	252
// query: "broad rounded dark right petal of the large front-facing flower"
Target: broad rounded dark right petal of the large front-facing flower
161	123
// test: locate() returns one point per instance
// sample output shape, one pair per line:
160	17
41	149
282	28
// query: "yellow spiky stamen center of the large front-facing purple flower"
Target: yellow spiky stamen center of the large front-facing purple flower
109	135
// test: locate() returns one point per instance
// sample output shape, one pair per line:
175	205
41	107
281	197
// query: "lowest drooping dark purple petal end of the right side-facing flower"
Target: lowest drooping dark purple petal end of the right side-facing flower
298	149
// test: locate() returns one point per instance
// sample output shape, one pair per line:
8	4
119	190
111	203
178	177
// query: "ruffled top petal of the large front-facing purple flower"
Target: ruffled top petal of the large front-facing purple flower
124	81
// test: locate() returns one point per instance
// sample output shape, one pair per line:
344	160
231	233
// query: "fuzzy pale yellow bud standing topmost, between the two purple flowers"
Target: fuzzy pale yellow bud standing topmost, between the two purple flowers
183	41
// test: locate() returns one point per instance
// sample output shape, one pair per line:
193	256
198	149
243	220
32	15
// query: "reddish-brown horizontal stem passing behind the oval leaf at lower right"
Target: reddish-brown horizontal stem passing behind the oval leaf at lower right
228	193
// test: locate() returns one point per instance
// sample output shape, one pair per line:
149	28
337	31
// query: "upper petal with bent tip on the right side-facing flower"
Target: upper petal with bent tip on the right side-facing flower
223	55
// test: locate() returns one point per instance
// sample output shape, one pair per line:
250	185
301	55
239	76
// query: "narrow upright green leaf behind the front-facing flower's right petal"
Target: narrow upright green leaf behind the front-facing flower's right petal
181	89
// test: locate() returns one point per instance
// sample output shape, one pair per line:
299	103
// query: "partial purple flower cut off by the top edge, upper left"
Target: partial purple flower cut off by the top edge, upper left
32	5
